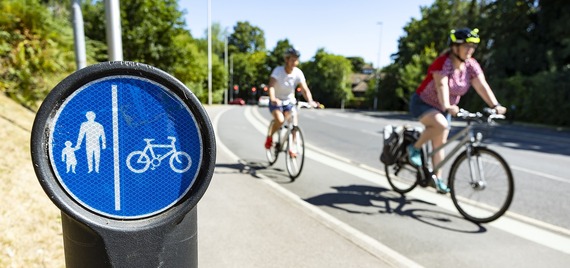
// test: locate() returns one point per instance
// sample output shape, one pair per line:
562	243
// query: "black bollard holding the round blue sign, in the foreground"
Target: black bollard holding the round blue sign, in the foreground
125	151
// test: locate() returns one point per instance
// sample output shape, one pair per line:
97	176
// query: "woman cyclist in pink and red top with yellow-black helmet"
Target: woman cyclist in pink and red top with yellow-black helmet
448	78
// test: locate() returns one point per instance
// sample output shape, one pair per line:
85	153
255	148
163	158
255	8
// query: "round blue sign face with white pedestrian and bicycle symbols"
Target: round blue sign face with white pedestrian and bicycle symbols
125	147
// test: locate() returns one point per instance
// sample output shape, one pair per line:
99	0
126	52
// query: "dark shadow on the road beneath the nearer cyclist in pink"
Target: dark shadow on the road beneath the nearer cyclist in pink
359	199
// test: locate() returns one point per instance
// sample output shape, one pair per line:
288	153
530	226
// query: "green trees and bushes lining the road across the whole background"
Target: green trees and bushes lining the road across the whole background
525	52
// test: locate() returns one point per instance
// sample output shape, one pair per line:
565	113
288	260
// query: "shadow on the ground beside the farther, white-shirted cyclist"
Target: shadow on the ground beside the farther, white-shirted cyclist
255	168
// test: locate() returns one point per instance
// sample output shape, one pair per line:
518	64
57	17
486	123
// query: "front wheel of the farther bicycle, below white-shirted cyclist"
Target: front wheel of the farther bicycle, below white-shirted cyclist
295	155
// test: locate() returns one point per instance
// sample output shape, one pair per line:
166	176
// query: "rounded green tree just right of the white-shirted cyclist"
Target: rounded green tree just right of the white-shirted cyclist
328	77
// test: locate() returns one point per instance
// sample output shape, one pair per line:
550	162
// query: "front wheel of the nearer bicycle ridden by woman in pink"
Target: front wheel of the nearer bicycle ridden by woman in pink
482	185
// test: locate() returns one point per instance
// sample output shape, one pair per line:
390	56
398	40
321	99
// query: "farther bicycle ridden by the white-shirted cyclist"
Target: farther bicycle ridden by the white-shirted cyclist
288	139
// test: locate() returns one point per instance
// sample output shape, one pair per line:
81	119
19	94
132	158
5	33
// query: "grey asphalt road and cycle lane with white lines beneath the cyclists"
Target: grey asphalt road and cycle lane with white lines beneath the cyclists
343	177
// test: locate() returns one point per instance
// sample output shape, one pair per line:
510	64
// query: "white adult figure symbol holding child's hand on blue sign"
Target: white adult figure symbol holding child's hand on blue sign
94	135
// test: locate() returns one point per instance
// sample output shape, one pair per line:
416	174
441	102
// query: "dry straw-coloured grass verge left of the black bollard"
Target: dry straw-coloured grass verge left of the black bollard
30	224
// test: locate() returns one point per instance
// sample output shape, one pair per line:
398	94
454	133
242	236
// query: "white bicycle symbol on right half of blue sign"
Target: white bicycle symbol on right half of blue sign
140	161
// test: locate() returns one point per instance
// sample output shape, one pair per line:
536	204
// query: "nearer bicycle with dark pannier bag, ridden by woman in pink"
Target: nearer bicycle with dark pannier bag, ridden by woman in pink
480	180
